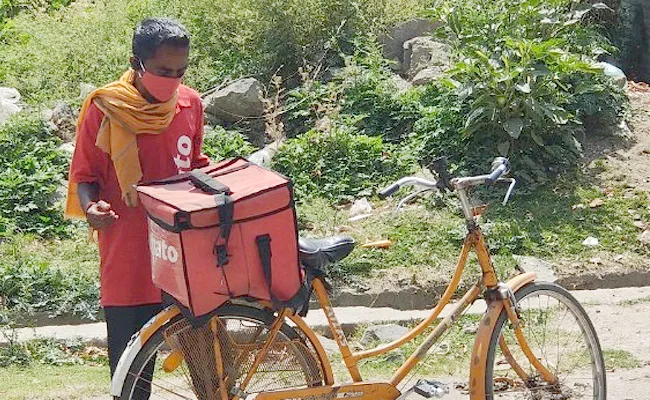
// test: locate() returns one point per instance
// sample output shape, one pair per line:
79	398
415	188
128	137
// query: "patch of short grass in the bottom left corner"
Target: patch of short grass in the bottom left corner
43	382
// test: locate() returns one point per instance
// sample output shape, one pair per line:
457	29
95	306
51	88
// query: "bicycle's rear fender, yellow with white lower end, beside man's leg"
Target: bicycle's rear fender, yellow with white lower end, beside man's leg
137	342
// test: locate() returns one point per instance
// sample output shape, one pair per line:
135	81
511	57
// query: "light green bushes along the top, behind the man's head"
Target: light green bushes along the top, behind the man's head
47	55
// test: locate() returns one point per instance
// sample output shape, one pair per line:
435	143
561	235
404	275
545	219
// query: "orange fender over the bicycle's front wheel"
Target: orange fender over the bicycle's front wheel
482	341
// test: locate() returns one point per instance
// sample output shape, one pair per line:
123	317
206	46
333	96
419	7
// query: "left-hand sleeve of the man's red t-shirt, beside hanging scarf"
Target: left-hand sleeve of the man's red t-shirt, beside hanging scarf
89	162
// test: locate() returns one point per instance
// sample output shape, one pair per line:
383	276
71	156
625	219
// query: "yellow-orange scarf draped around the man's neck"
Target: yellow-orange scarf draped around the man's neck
126	114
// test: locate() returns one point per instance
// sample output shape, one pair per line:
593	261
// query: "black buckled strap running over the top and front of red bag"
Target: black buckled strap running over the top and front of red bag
225	208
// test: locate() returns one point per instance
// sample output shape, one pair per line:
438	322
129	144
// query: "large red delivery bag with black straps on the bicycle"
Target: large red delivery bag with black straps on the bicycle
223	231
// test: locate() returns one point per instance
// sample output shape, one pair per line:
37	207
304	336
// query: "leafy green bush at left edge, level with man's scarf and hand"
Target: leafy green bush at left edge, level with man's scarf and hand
31	173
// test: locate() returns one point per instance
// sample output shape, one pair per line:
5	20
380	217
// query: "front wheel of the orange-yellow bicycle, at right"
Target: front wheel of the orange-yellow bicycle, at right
560	335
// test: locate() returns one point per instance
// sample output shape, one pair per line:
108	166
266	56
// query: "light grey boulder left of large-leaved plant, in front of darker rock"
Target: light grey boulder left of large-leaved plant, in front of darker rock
423	52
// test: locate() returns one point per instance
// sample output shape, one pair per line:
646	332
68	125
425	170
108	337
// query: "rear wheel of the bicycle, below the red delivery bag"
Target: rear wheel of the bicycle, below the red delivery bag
178	362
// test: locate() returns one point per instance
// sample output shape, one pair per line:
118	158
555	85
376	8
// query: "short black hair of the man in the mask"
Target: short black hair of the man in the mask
151	33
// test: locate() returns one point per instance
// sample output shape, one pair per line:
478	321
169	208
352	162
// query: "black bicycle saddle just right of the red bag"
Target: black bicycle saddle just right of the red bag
318	253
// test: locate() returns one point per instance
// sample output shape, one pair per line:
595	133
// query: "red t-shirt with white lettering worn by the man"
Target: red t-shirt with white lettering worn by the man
125	271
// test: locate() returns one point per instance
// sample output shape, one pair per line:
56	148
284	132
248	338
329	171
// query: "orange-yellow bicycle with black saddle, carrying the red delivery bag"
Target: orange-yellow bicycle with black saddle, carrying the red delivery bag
534	341
